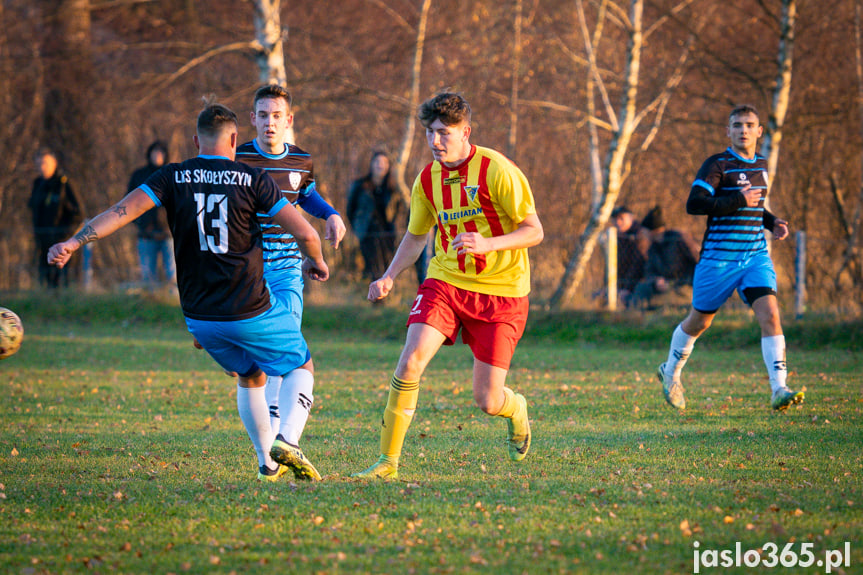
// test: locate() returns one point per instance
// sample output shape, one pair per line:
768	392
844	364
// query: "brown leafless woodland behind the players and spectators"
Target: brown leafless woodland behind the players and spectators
100	80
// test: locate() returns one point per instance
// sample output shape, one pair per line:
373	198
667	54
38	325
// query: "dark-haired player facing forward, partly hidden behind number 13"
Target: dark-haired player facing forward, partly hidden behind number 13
293	170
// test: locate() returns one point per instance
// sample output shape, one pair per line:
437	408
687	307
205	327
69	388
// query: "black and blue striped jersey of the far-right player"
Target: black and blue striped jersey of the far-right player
735	232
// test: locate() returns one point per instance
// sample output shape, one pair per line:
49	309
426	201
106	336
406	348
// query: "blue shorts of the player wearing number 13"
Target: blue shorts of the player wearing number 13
270	341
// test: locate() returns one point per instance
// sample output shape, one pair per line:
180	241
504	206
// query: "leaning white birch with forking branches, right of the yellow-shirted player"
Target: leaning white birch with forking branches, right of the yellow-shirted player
622	123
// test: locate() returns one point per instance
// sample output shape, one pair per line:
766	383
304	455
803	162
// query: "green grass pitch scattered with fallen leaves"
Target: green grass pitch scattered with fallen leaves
121	451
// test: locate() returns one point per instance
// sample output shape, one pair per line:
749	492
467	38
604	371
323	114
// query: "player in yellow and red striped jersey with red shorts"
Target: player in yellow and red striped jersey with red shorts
478	280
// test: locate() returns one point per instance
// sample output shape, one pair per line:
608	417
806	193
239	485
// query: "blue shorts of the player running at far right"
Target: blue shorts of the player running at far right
715	281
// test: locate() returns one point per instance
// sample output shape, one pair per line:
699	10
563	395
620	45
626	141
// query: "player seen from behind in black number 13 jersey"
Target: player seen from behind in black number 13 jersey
212	204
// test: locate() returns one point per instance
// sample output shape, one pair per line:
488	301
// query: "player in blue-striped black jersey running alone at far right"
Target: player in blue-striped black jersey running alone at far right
730	189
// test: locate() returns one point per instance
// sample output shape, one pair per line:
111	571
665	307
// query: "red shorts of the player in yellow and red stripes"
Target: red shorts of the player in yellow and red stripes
491	325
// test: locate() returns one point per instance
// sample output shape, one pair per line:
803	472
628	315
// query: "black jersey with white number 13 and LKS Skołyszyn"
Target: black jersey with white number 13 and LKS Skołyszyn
212	205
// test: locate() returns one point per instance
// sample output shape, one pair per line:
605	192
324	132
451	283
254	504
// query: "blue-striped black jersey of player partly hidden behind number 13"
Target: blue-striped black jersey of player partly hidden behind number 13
293	171
